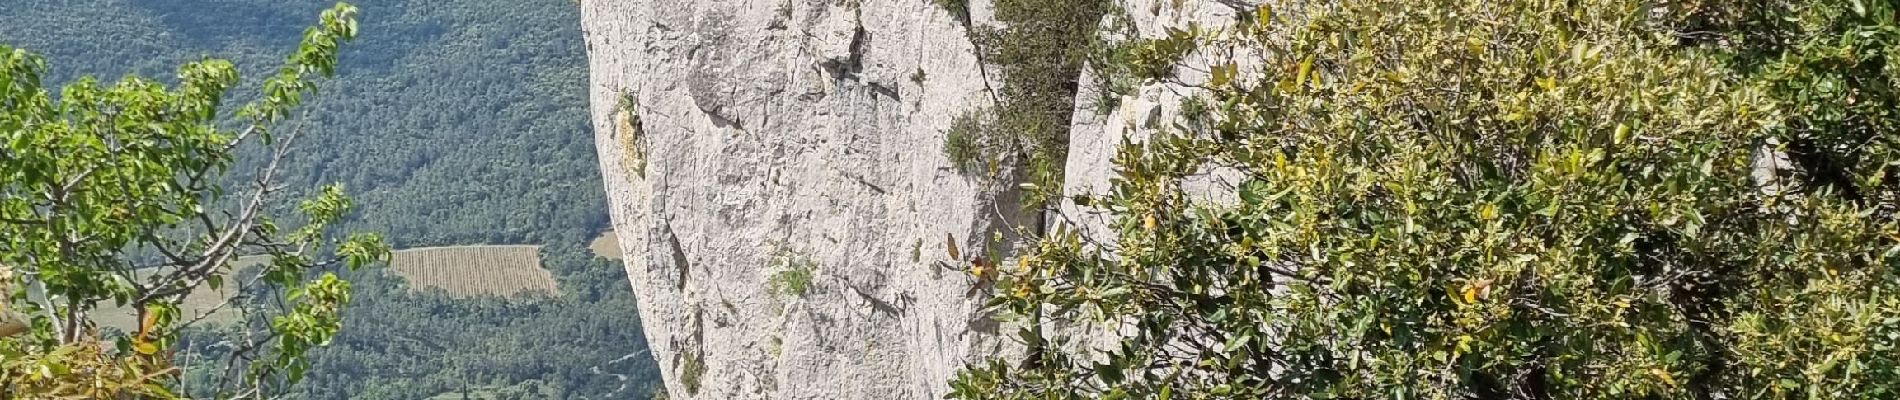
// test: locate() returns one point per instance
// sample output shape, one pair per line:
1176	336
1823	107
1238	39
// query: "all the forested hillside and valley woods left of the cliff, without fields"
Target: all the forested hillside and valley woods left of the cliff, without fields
451	122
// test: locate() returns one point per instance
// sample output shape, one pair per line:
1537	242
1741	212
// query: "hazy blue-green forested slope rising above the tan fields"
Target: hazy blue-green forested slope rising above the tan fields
457	120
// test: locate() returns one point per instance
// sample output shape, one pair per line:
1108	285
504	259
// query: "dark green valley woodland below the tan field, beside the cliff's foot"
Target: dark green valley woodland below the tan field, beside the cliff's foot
419	344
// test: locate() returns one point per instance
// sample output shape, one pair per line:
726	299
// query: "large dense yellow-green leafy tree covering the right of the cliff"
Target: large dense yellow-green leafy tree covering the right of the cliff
1492	200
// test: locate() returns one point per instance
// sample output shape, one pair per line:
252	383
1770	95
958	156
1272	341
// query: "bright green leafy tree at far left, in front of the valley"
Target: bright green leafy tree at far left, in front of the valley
117	196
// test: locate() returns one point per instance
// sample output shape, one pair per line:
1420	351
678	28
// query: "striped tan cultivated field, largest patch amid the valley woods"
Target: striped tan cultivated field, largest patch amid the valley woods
476	270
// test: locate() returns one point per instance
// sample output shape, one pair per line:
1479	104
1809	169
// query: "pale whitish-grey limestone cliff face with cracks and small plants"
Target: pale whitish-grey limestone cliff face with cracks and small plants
770	134
